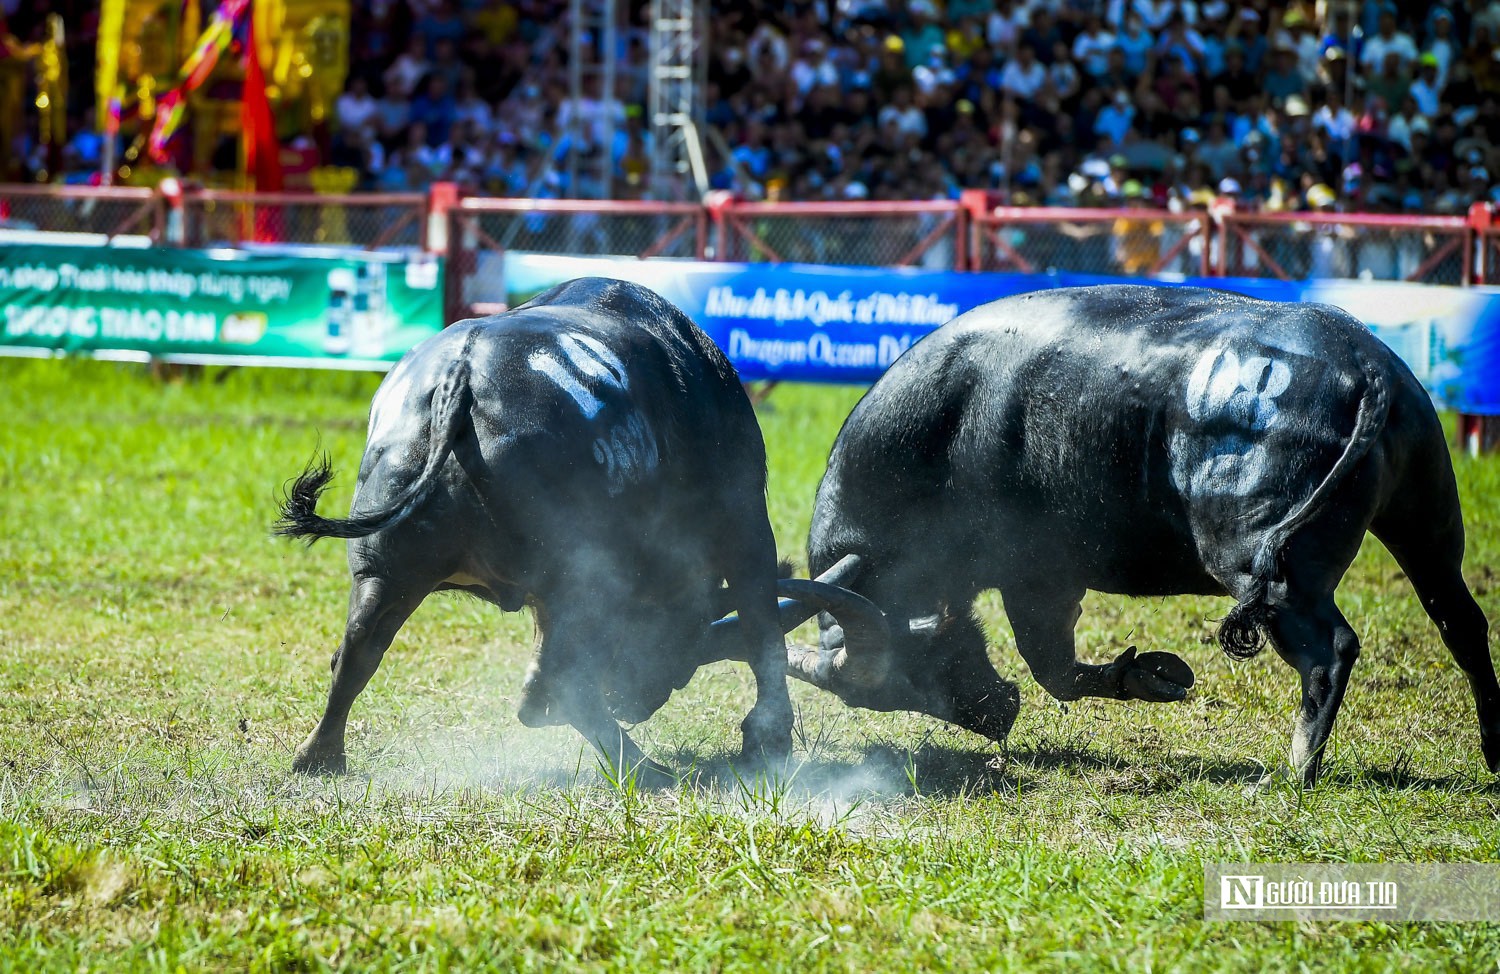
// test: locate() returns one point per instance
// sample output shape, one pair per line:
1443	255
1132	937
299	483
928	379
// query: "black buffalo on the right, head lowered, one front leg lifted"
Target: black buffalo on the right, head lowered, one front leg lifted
1147	442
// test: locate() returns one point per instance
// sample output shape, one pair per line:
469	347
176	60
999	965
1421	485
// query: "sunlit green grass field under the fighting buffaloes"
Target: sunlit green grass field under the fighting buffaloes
161	655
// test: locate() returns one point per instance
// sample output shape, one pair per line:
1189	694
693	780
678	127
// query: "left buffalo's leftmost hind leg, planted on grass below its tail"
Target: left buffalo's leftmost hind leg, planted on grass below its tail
377	612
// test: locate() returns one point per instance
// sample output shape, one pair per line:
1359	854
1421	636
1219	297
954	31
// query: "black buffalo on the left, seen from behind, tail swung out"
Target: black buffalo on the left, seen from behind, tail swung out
593	455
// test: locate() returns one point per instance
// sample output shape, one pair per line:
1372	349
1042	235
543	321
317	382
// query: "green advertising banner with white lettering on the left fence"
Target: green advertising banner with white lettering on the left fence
346	311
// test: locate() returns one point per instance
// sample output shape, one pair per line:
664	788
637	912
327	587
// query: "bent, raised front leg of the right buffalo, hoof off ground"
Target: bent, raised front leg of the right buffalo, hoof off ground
1043	621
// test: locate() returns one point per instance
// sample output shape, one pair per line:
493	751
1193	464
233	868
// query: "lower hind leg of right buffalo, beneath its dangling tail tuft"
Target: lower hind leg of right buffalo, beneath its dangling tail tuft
1319	643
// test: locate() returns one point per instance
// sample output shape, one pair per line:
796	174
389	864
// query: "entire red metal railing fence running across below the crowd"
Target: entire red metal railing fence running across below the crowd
965	235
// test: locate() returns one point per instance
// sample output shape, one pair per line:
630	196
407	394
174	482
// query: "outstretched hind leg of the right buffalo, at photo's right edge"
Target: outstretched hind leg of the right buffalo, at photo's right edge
1433	562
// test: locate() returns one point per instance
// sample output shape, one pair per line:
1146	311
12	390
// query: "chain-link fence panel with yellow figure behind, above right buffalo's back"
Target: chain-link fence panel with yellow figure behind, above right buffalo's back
1136	244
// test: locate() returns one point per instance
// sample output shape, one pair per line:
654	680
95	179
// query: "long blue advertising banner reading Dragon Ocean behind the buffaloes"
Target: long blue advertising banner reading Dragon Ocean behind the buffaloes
848	325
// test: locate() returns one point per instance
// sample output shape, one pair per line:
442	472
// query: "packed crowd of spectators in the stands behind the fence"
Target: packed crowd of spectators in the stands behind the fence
1370	106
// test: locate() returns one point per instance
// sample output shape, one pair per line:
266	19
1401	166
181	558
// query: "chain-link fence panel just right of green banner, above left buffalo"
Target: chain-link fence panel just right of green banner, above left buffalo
484	230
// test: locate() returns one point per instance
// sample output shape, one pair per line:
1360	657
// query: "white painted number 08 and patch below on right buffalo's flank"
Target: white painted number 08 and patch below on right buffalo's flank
1240	398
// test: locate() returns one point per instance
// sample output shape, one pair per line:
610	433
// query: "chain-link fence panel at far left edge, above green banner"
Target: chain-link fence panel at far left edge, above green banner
83	209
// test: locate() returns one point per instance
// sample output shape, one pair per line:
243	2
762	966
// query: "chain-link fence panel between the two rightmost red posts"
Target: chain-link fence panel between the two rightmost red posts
1433	250
